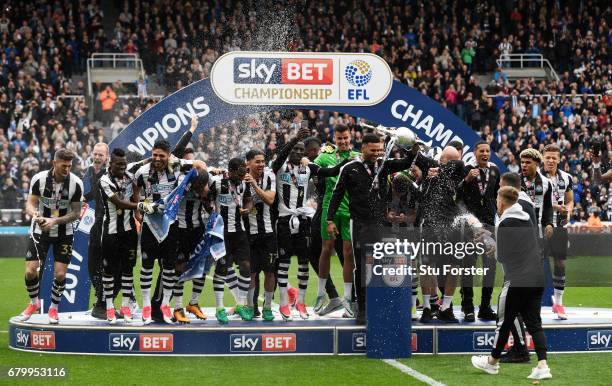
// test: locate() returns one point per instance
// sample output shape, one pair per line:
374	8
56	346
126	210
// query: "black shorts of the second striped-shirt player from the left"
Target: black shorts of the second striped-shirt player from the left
119	251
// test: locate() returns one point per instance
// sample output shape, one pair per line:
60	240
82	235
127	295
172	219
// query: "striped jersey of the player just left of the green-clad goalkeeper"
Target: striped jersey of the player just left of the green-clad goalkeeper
292	187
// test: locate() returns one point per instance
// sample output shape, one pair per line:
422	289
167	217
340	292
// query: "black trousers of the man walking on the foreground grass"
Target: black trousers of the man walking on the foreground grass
523	301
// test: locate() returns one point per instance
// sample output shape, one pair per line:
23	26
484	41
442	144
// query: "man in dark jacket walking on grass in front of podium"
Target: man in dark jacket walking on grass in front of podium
523	283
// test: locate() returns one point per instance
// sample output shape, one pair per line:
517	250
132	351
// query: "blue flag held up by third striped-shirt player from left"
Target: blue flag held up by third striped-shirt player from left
159	222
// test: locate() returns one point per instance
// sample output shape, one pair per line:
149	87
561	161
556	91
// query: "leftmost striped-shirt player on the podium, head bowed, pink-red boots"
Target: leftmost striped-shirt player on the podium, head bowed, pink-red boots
54	203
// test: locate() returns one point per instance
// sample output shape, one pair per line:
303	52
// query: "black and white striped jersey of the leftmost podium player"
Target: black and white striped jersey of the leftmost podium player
55	199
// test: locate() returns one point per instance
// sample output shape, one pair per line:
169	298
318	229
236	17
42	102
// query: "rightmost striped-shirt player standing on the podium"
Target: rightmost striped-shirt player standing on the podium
563	206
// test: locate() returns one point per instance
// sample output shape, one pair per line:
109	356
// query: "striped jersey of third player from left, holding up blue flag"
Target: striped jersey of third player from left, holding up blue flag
157	185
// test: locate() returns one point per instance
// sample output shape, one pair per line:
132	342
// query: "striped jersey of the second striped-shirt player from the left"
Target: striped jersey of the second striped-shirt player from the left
116	220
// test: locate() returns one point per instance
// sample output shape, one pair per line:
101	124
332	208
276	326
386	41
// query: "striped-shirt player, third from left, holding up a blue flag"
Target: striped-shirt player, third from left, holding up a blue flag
155	181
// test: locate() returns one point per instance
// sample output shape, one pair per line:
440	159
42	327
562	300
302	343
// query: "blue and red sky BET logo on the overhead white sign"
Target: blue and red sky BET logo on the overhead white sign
283	71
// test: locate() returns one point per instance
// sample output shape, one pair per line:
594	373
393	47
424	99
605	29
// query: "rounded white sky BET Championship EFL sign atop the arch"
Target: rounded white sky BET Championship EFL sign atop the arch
281	78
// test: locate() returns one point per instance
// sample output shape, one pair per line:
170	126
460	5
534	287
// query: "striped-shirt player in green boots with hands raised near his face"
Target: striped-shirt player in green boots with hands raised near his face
232	200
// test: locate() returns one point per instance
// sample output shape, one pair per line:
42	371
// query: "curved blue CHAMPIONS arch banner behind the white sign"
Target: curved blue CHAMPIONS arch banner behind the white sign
403	107
